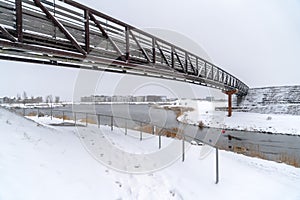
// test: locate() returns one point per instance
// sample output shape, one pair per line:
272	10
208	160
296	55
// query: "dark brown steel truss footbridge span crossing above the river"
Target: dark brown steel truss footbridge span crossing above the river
67	33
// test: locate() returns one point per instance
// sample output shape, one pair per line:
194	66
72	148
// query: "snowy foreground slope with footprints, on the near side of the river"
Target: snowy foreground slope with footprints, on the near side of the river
44	162
